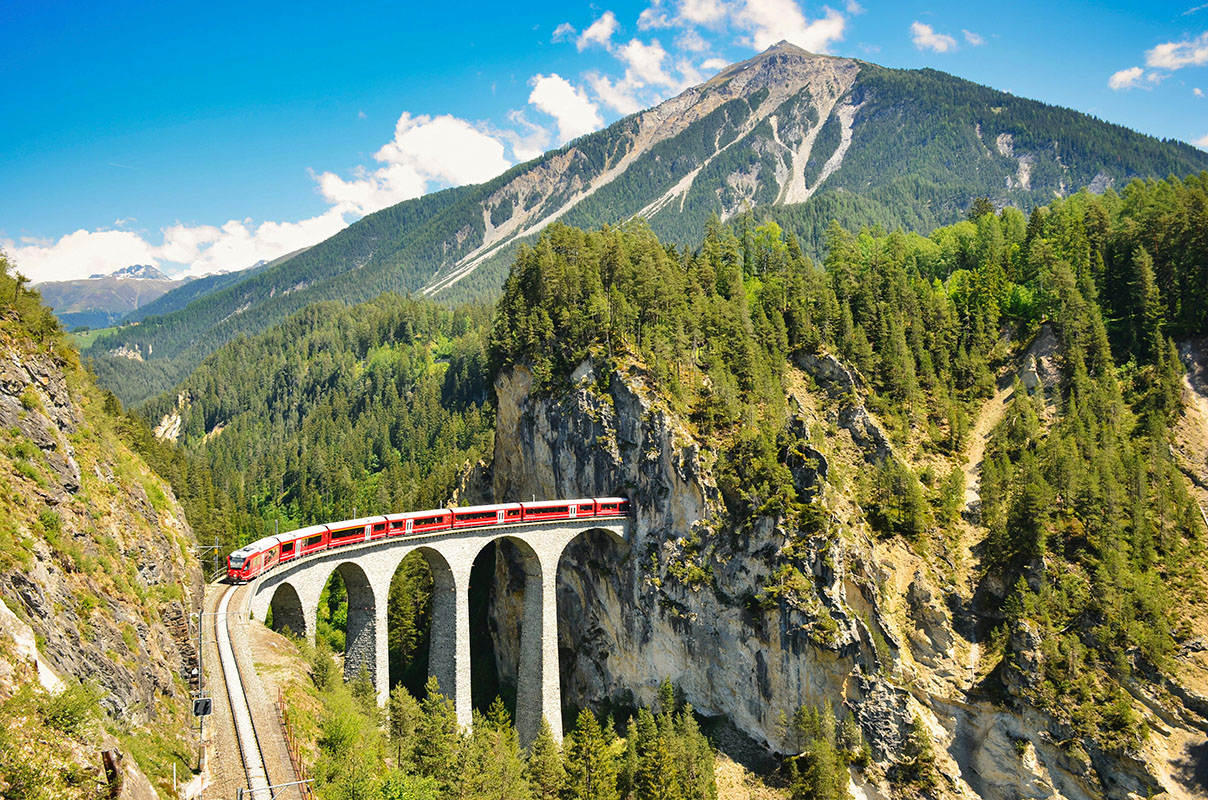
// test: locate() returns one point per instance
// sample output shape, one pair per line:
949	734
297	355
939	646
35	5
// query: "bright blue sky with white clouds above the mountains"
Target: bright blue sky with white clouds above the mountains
210	138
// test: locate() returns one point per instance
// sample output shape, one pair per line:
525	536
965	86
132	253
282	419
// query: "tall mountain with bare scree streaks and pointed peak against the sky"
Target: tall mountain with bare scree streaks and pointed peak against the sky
787	135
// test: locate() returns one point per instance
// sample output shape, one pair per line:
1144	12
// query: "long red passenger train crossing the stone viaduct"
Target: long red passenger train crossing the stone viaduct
260	556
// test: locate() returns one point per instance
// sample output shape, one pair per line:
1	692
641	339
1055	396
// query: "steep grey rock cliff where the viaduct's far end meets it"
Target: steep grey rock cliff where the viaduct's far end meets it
752	622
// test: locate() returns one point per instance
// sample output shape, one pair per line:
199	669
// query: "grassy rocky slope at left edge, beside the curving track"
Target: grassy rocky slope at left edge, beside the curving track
97	583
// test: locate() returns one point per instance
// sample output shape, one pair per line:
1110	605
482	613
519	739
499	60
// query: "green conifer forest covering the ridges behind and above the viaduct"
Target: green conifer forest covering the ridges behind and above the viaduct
1094	549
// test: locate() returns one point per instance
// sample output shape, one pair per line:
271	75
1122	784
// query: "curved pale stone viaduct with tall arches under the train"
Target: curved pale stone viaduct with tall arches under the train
293	592
